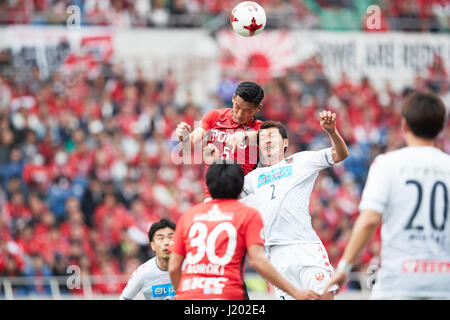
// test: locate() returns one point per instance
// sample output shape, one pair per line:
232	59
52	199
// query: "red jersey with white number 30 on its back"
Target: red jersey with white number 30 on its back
214	237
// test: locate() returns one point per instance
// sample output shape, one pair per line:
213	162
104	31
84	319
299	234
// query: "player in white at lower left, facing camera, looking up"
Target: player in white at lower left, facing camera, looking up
152	277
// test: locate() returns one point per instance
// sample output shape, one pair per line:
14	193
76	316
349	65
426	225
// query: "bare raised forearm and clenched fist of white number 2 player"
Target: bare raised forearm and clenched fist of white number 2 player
339	148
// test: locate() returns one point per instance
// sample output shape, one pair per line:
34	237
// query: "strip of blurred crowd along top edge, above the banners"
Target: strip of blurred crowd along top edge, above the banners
404	15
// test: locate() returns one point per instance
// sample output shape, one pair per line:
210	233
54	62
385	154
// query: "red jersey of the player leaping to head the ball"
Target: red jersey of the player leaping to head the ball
219	124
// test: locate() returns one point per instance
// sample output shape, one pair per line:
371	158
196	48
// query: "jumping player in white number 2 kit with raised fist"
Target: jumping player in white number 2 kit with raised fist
280	189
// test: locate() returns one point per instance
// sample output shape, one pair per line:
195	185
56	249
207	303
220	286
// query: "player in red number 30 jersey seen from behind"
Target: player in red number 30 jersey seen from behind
214	238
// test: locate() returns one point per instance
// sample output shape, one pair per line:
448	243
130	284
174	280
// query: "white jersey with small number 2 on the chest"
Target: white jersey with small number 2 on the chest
281	194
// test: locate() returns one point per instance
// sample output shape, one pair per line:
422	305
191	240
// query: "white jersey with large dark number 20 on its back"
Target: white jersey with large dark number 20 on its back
410	189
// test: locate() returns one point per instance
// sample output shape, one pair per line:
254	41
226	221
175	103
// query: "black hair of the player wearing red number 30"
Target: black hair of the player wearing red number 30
225	181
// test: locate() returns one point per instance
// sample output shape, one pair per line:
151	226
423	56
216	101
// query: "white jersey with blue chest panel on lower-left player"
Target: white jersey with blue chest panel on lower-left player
154	283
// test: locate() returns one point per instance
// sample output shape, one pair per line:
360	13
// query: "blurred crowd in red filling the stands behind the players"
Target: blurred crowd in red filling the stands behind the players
85	162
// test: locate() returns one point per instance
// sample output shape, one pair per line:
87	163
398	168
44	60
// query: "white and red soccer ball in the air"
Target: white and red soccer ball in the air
248	18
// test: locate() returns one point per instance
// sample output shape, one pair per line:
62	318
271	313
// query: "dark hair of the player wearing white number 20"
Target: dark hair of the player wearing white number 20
424	113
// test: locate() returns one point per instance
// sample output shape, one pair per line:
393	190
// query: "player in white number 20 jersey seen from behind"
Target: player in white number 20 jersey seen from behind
407	191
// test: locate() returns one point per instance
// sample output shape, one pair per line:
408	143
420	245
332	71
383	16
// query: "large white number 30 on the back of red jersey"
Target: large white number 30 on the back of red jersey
198	233
